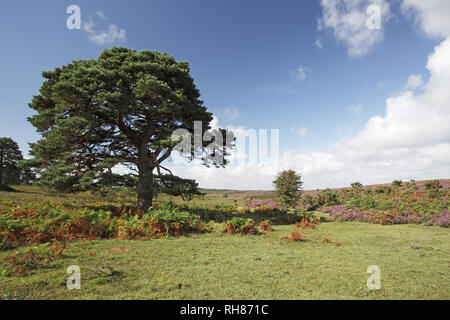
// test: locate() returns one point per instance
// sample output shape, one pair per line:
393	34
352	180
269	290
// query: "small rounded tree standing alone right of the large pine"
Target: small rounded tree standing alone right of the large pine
288	186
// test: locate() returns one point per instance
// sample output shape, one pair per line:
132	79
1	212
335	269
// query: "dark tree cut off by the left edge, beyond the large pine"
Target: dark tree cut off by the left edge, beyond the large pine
10	155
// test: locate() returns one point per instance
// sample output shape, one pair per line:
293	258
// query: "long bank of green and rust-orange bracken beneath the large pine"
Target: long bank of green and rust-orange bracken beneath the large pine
43	221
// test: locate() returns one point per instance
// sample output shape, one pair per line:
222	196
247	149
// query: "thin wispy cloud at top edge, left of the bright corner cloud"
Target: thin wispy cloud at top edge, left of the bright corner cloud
347	19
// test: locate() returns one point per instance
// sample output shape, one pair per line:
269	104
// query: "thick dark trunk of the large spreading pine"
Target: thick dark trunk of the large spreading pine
145	185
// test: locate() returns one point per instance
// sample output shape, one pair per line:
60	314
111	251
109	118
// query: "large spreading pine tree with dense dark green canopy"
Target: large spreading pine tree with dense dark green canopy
119	109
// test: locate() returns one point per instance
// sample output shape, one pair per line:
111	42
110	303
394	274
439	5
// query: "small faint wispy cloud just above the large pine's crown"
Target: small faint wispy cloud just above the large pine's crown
113	33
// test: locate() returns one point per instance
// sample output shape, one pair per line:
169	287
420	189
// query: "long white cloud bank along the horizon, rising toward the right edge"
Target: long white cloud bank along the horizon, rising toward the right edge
410	141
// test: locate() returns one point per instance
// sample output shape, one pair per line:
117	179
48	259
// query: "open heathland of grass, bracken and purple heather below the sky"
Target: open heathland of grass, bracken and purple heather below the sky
228	244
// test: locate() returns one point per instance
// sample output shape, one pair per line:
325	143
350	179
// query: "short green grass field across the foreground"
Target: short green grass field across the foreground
414	262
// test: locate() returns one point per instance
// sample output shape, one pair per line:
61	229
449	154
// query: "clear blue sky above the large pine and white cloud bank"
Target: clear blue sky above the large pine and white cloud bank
244	57
